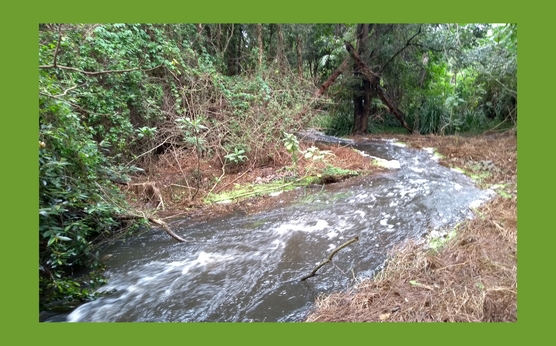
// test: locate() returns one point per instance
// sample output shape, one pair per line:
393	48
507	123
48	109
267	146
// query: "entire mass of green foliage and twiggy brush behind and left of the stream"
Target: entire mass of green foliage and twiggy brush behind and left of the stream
114	96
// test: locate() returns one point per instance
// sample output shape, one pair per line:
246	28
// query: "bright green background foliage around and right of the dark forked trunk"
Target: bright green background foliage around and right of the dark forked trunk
448	79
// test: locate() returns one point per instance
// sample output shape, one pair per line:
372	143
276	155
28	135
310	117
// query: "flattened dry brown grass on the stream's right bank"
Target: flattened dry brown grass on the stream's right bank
473	278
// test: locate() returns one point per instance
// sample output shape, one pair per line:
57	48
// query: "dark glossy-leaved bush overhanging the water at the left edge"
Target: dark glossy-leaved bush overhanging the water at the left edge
77	202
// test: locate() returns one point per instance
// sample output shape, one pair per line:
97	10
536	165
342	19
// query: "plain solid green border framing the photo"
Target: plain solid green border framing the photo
20	186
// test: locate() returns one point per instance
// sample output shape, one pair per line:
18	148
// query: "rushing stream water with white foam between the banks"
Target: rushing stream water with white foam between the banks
247	267
